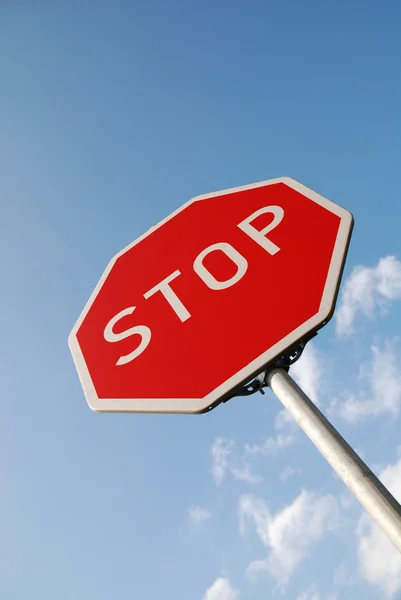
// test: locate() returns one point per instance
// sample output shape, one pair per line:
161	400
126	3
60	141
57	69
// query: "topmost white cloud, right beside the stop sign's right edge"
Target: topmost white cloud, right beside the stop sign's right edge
366	289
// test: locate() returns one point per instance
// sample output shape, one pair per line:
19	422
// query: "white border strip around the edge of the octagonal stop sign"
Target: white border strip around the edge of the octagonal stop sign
199	405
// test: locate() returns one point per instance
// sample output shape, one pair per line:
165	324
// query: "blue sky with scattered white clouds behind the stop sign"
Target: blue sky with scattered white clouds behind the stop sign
111	116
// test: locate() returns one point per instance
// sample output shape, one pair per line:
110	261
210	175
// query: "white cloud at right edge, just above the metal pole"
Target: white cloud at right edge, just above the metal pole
382	380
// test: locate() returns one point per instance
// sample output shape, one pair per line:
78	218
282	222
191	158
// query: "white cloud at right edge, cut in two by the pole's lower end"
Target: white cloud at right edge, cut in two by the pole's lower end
380	562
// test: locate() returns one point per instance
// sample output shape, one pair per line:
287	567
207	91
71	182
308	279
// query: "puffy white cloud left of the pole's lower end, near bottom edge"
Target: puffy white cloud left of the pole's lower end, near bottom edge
289	535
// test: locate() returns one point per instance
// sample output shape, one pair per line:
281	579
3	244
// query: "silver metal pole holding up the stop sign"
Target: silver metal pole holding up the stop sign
364	484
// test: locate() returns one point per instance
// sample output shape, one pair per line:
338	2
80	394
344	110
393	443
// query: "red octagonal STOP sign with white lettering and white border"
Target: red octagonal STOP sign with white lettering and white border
204	300
